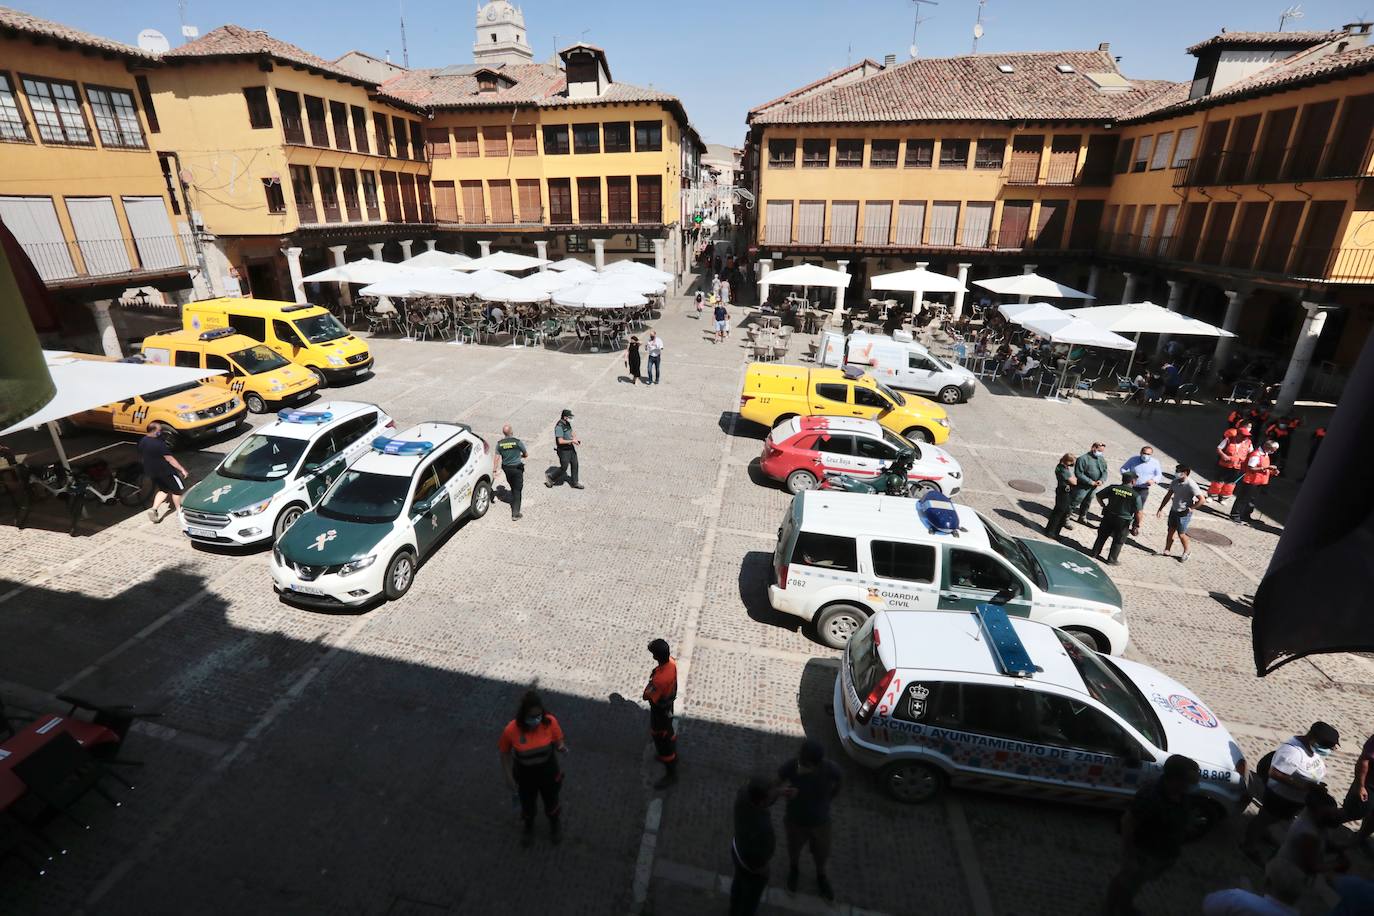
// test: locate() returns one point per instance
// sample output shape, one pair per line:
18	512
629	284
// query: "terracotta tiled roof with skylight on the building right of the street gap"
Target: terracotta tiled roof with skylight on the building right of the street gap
973	89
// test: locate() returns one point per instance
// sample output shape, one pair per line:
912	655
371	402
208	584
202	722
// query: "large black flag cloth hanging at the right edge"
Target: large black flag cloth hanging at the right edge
1317	594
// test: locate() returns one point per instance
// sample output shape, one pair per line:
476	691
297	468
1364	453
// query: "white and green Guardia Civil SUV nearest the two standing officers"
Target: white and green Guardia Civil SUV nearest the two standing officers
384	516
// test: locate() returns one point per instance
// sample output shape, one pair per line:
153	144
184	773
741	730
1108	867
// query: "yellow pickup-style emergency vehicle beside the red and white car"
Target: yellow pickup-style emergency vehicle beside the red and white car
776	393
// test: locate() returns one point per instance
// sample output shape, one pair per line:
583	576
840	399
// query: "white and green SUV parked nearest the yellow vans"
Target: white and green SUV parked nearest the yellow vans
280	472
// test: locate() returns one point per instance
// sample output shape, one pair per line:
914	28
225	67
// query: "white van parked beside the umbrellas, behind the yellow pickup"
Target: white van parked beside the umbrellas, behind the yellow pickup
899	362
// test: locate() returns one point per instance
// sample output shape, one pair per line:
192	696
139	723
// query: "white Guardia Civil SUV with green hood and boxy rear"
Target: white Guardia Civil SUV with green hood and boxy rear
844	557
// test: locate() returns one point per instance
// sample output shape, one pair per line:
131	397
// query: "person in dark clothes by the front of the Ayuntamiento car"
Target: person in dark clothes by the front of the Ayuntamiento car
1152	833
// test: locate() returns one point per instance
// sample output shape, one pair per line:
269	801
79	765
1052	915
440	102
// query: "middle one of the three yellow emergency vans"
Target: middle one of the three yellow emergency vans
259	376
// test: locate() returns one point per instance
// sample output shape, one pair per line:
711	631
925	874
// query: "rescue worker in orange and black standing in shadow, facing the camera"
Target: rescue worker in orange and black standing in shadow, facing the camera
530	749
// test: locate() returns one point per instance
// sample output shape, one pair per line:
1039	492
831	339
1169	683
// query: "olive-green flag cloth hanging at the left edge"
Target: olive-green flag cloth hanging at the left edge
25	384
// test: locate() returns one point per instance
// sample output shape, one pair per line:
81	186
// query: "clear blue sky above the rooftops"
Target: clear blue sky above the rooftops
721	57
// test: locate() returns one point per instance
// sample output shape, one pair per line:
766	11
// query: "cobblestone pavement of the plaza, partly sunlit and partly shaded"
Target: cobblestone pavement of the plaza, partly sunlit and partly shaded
317	763
